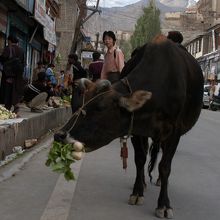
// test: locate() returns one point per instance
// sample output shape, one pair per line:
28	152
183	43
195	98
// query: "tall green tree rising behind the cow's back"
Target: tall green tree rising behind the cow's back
147	26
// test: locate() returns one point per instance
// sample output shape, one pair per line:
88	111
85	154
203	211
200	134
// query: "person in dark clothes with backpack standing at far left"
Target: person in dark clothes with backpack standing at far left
12	83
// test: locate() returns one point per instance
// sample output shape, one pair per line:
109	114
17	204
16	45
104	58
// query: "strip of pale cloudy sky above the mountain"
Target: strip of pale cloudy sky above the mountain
114	3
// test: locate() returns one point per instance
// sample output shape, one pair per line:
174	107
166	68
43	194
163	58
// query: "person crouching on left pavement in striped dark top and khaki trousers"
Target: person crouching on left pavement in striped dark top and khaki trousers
36	94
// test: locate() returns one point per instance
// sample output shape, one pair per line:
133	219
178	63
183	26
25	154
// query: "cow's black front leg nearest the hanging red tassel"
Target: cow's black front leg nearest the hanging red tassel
140	145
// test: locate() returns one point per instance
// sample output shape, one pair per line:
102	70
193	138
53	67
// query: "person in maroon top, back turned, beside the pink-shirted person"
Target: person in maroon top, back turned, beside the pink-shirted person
95	67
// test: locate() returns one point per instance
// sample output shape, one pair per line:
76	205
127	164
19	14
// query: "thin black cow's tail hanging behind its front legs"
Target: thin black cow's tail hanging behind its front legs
153	152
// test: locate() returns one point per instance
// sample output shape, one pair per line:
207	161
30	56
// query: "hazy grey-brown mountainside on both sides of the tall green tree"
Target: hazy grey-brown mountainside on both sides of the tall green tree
123	19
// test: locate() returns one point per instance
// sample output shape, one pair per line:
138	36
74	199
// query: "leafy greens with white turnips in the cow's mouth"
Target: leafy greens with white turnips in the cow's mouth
61	156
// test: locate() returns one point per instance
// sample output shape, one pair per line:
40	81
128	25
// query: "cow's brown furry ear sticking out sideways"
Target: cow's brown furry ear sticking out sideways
135	101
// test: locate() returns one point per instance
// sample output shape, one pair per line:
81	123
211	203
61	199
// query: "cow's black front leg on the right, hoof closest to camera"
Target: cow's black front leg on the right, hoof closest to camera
169	148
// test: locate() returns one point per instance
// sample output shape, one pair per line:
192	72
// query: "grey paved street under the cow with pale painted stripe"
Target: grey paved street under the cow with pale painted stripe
103	187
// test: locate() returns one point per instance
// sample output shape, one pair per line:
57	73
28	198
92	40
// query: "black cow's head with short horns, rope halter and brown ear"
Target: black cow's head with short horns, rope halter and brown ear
104	116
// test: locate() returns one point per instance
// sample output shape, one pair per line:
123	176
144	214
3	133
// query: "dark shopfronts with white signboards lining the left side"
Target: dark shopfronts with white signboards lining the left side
33	23
